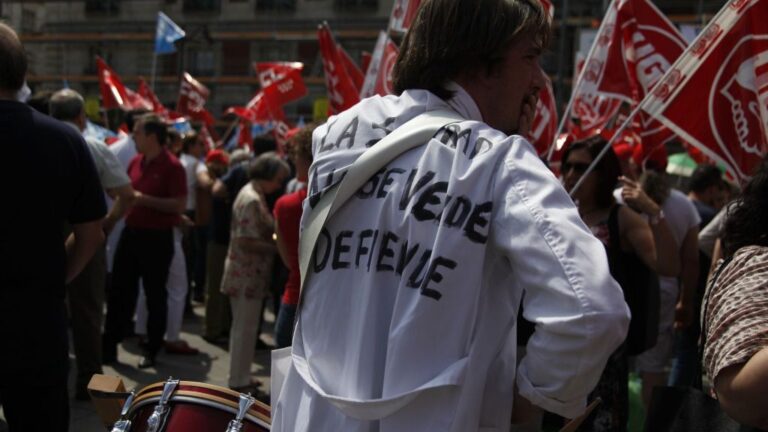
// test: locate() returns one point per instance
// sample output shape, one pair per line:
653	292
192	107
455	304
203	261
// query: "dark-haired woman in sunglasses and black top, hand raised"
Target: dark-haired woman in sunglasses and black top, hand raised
627	237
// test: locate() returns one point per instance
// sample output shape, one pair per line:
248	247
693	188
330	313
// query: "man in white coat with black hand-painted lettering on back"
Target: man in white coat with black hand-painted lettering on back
408	319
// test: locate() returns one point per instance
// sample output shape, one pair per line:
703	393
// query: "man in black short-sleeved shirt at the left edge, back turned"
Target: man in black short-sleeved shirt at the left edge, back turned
50	180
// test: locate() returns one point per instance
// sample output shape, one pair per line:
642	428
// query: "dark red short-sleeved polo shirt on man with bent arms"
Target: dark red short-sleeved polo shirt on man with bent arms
162	177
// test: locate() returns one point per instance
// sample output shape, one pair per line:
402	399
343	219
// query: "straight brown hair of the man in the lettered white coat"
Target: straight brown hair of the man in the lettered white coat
451	37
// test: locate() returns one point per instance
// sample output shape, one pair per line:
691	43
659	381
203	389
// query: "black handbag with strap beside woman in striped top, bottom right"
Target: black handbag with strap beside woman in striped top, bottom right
689	409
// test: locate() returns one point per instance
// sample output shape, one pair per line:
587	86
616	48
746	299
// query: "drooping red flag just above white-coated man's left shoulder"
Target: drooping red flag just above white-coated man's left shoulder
342	93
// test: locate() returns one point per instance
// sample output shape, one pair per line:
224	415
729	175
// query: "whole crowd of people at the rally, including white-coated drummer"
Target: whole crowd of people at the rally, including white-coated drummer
424	283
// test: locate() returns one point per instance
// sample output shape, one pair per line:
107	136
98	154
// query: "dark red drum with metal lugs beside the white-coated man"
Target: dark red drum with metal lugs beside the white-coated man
188	406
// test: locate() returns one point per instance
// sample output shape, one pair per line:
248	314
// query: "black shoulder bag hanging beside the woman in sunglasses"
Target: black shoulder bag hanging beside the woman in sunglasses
640	285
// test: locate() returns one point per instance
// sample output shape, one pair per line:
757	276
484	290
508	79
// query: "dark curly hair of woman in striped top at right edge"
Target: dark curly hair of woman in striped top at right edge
745	223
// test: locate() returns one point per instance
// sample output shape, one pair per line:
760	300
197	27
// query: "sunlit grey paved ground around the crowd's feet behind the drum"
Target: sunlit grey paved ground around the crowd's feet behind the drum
210	366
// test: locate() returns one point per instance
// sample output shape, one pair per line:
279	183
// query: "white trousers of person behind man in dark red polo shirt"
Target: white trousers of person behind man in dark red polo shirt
177	287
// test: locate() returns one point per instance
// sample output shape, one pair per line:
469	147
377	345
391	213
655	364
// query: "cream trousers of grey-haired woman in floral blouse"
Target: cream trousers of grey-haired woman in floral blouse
242	337
